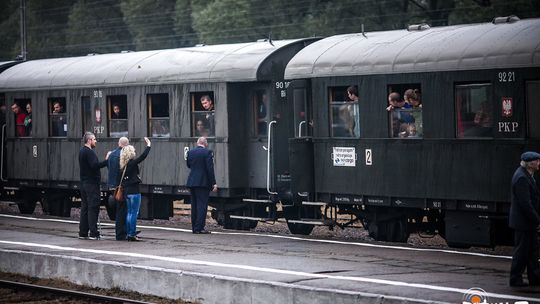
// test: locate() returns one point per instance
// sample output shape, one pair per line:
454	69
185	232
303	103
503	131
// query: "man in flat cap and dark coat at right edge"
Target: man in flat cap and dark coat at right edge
525	220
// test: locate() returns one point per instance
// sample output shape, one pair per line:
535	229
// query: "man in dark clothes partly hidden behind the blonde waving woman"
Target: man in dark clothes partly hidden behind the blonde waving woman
113	165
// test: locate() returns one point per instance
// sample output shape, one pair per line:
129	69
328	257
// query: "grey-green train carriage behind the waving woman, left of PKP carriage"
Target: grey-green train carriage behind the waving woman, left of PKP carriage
158	94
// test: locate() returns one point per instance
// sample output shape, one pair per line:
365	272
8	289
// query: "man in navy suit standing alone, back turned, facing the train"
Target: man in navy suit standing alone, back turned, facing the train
200	181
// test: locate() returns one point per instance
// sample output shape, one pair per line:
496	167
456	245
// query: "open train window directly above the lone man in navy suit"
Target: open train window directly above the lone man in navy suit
202	114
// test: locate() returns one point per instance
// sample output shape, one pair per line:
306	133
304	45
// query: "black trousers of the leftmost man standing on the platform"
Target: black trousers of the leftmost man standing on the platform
90	201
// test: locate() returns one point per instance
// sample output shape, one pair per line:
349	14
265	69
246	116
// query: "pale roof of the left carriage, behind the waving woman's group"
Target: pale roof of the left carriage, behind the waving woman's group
215	63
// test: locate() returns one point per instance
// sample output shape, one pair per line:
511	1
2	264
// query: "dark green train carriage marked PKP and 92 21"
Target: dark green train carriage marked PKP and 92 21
443	166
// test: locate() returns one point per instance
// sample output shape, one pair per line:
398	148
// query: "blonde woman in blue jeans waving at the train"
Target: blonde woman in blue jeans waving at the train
131	182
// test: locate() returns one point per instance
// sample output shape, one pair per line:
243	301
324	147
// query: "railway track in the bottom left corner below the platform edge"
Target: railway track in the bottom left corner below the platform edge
45	293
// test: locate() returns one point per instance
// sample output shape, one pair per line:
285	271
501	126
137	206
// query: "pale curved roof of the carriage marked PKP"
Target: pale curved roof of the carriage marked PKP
450	48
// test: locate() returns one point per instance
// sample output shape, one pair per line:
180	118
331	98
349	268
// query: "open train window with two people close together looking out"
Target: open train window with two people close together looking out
405	110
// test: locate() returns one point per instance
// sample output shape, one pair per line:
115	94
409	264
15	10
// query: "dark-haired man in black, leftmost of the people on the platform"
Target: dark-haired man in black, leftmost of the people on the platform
89	166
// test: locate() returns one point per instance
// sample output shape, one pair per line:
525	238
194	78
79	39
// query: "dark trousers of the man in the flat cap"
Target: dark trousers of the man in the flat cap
525	256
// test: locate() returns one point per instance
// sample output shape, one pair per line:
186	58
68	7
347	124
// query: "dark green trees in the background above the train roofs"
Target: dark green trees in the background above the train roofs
60	28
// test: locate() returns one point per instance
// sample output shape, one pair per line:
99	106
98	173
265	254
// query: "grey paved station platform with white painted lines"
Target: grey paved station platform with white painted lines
243	267
